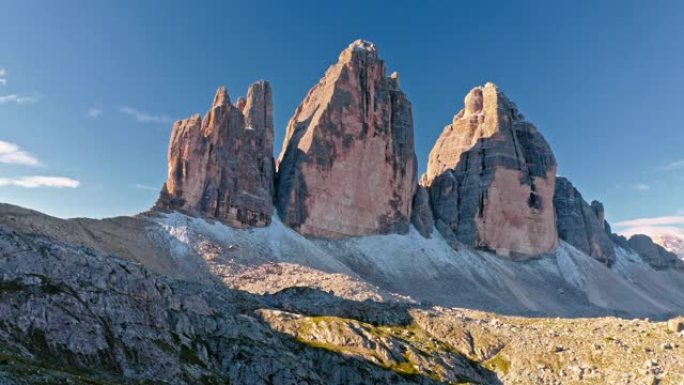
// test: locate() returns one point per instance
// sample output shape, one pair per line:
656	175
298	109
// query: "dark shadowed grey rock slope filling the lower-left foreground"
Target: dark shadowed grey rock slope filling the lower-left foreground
70	315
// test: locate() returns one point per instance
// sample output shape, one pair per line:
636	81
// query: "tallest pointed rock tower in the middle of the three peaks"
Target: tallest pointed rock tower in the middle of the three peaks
348	164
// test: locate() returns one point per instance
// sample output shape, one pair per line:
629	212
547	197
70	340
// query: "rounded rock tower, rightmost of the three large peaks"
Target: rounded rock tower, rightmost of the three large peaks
491	177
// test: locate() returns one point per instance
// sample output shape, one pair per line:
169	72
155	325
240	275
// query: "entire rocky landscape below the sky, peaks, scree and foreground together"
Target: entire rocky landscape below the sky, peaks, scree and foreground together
338	266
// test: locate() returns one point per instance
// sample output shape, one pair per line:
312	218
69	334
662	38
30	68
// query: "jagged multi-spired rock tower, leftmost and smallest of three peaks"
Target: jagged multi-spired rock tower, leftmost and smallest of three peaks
222	166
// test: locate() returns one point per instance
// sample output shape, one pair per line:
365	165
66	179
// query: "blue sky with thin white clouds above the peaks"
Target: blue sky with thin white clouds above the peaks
89	89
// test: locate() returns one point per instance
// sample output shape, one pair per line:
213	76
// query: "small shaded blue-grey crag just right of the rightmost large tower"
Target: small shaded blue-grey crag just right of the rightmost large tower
582	225
